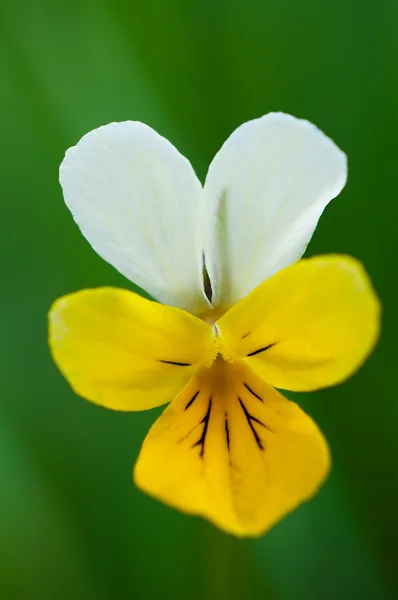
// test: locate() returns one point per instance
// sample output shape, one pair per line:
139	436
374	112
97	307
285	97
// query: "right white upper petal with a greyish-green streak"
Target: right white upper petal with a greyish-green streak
264	193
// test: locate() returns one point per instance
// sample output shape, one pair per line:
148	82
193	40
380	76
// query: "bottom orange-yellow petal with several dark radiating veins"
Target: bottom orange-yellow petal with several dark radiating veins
233	450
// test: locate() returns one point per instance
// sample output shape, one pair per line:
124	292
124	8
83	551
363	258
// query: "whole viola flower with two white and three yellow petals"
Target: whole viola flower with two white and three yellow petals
239	316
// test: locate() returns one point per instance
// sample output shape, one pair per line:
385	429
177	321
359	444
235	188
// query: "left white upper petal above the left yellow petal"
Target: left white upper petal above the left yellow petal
136	200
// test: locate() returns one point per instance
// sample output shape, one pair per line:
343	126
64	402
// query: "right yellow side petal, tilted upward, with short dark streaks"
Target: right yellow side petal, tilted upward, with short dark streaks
309	326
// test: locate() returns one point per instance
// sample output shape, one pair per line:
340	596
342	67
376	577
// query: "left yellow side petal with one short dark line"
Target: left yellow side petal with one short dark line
124	352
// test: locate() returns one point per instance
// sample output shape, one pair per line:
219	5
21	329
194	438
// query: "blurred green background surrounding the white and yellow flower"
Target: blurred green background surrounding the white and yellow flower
72	525
